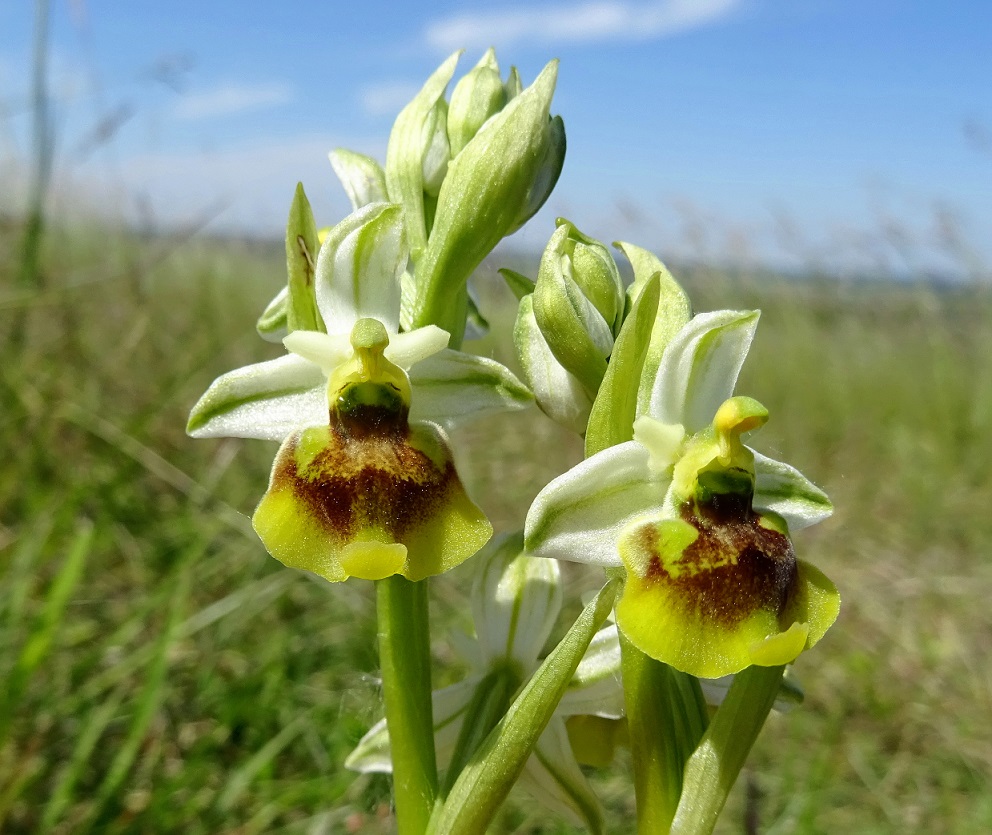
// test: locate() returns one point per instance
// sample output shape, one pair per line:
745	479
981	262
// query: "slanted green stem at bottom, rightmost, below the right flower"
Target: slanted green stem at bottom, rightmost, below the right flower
713	768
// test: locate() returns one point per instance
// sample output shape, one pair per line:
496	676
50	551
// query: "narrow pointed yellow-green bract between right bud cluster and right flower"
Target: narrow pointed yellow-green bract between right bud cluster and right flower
615	407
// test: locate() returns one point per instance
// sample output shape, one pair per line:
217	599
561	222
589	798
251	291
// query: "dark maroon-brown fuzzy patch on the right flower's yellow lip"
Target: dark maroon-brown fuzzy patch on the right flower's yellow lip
710	583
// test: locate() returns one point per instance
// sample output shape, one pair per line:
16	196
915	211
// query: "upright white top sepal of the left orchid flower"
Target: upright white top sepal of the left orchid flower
359	268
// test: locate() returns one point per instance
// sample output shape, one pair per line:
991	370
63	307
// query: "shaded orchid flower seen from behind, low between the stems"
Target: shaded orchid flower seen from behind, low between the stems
515	602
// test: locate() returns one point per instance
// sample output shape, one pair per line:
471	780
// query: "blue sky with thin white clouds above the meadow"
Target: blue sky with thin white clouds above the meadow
791	131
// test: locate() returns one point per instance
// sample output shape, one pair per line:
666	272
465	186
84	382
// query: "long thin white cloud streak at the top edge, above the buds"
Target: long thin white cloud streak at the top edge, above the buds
591	21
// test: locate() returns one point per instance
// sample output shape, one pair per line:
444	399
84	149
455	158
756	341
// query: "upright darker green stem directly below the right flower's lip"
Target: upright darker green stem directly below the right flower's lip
666	714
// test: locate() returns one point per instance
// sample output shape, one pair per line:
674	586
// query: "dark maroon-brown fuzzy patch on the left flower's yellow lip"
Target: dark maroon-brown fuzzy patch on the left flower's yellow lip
369	474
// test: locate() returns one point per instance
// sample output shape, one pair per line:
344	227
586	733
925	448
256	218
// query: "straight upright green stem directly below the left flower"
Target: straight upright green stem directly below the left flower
405	658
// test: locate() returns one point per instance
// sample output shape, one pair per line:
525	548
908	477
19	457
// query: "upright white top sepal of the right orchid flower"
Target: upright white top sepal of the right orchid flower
699	368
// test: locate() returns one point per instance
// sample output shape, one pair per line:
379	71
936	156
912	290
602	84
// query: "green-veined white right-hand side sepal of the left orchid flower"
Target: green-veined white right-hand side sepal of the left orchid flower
452	387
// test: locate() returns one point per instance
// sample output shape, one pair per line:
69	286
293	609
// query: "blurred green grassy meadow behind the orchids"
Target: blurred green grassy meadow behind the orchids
162	674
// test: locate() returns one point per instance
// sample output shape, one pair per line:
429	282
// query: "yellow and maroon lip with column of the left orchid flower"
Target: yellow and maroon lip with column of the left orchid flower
369	495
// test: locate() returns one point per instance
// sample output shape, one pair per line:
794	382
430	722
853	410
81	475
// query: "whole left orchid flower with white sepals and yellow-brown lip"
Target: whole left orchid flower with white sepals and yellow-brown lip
364	483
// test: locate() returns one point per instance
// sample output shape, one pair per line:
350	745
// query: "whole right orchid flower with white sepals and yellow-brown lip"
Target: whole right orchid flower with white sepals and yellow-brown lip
699	522
